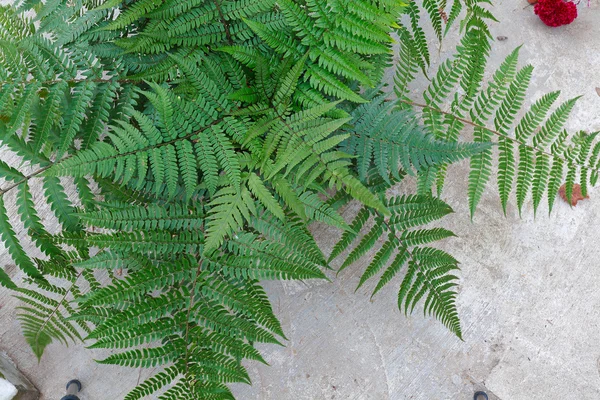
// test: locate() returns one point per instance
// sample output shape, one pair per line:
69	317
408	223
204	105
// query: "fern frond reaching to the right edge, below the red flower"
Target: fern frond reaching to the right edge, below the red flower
535	153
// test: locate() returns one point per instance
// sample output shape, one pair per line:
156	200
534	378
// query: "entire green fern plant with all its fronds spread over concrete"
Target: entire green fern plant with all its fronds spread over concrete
202	138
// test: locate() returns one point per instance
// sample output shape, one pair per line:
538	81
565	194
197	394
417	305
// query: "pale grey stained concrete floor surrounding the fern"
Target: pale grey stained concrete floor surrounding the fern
529	299
